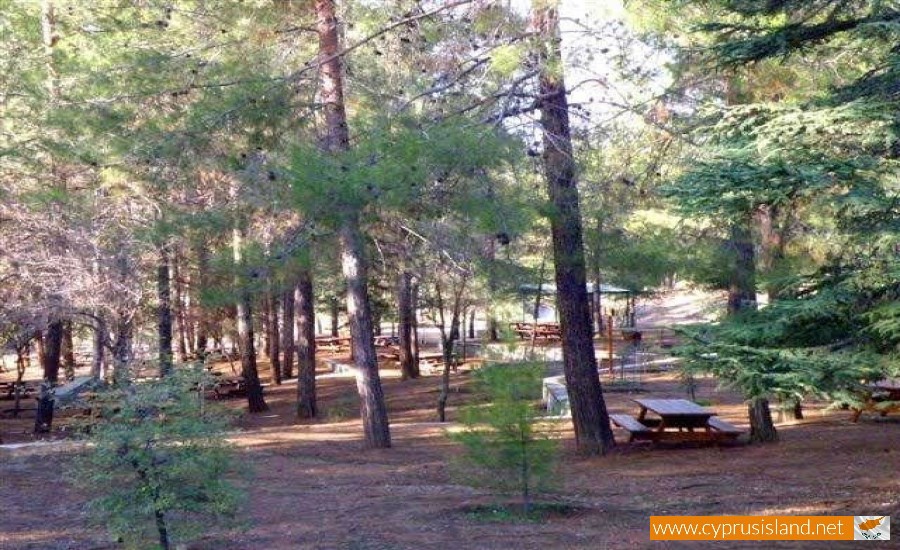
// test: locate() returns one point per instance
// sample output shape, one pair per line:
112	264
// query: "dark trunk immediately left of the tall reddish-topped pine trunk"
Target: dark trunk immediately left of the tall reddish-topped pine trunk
306	346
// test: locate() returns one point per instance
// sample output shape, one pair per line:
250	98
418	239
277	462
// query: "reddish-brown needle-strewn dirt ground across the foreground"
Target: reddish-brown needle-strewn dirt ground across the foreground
315	486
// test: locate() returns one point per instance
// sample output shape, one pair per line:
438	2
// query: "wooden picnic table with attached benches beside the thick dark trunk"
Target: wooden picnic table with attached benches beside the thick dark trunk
675	420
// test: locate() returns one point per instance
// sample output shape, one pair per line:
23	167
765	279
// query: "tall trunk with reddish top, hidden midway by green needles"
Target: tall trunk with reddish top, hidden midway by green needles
353	261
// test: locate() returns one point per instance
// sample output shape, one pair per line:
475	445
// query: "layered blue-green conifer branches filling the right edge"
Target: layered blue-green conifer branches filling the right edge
821	151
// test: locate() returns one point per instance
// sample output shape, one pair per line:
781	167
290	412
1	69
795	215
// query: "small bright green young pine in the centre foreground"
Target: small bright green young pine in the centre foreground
505	446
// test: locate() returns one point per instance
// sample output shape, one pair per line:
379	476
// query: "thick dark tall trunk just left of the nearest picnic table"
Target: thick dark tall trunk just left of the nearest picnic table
593	434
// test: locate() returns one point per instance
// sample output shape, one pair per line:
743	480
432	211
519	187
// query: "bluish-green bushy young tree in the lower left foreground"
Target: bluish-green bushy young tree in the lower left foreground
156	459
